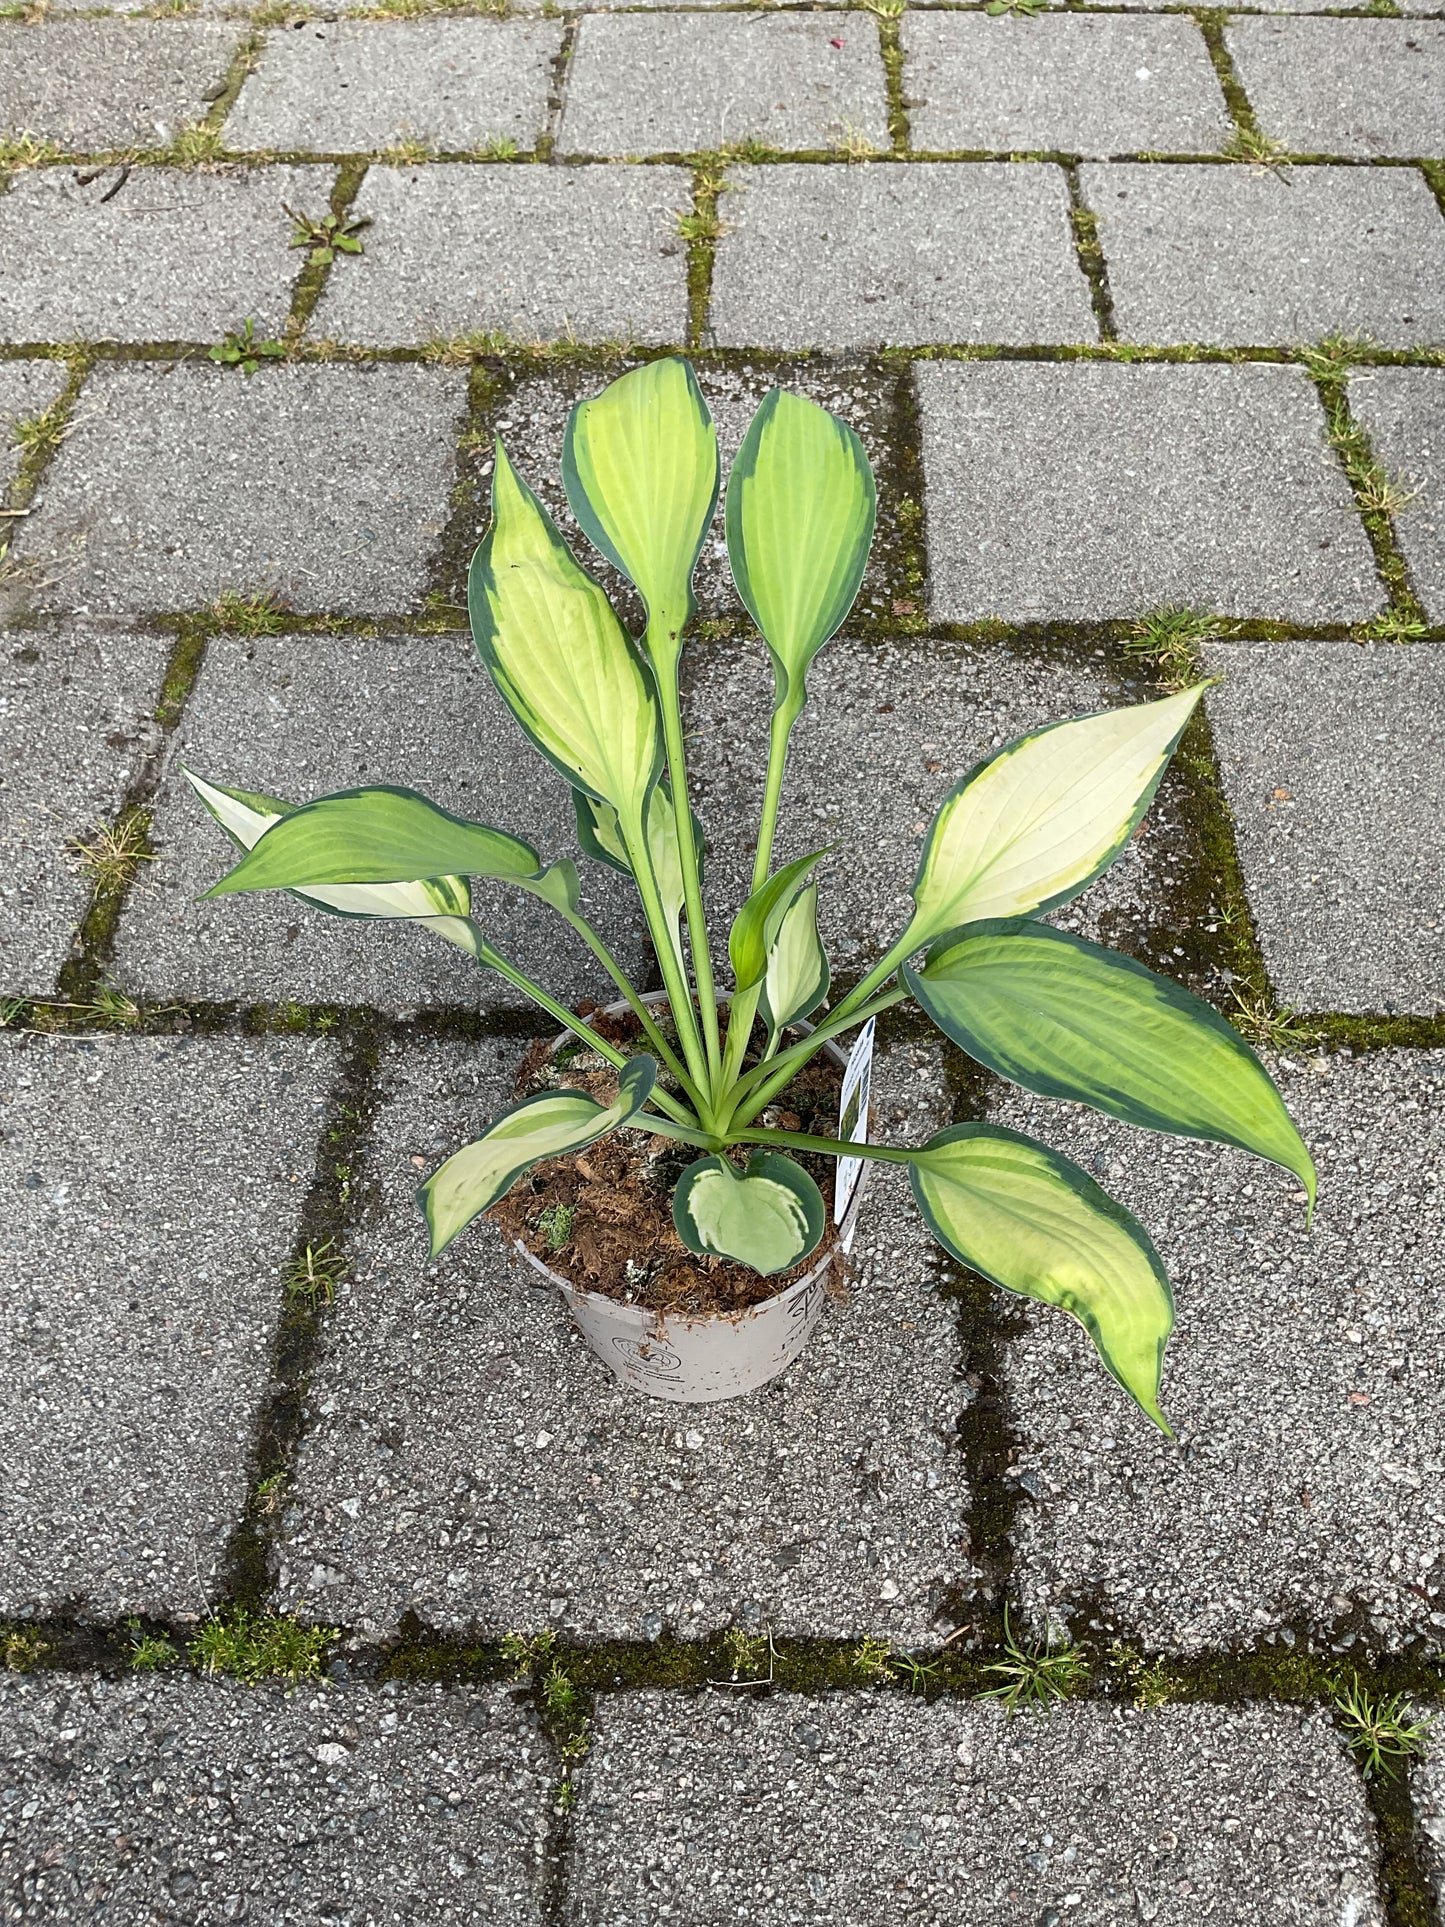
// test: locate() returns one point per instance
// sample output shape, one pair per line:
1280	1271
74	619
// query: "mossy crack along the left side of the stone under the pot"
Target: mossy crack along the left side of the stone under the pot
319	1265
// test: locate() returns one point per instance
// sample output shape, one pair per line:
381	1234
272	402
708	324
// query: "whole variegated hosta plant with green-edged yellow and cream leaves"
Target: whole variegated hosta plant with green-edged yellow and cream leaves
1026	832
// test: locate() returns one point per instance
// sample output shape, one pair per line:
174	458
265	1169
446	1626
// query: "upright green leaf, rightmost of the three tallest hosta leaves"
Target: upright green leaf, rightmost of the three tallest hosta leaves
799	521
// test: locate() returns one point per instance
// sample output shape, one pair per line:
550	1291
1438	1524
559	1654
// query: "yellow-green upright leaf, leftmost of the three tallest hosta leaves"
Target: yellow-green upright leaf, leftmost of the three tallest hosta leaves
560	656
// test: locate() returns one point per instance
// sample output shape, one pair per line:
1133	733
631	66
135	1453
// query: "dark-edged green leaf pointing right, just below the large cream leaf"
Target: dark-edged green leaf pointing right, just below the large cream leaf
1066	1018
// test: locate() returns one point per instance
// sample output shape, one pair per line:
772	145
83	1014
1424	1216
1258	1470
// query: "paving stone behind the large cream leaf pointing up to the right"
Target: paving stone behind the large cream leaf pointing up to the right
887	733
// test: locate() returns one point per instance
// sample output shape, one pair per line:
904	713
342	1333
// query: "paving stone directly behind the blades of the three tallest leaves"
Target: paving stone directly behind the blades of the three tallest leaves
531	417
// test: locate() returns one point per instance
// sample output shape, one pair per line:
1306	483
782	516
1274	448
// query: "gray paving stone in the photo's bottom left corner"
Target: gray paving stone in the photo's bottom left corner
203	1801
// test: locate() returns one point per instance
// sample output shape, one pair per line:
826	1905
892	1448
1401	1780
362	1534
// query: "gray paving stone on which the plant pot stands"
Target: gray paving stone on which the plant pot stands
469	1460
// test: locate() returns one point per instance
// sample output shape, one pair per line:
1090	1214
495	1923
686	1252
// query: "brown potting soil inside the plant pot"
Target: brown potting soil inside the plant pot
604	1217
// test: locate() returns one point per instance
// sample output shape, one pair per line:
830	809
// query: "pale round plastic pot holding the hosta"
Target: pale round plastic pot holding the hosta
698	1359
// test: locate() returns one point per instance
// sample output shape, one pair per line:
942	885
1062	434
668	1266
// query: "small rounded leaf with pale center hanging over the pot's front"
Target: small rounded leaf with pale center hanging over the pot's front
768	1217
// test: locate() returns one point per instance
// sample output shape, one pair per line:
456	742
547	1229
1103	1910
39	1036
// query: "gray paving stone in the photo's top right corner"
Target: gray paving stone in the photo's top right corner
1346	86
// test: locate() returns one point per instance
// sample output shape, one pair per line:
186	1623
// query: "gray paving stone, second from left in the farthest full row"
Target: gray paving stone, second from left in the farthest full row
355	86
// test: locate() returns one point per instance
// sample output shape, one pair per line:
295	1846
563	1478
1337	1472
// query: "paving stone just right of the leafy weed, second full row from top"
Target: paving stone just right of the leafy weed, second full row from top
585	251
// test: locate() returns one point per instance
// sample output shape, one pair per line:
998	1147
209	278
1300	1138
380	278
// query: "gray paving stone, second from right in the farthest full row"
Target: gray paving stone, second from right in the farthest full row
1076	84
